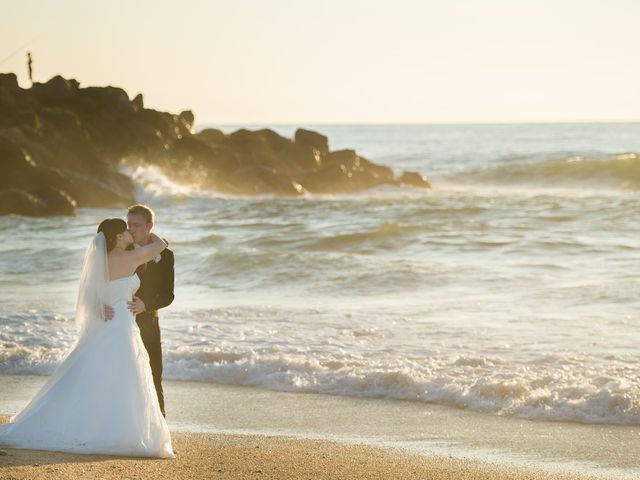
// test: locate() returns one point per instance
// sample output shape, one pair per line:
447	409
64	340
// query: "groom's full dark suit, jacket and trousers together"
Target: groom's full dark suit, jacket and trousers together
156	291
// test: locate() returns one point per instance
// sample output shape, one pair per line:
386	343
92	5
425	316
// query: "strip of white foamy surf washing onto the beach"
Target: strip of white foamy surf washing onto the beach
551	387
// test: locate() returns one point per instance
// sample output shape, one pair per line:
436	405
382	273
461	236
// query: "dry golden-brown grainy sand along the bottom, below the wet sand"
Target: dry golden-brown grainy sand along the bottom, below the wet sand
201	455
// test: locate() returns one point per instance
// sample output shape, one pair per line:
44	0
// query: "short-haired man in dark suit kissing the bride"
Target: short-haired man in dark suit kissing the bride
155	292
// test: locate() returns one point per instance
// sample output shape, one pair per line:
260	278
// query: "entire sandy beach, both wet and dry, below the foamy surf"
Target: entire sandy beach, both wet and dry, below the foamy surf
228	431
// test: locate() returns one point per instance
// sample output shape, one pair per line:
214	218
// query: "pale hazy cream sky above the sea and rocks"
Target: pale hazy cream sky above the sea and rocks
342	61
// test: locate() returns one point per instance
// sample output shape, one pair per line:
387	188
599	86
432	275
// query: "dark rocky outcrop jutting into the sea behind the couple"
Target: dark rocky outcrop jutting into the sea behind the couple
61	147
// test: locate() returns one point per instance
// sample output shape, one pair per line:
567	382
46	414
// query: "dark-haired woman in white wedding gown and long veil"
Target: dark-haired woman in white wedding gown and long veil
101	398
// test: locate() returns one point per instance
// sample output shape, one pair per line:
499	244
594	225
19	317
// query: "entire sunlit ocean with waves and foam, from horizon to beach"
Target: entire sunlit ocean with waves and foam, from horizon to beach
510	288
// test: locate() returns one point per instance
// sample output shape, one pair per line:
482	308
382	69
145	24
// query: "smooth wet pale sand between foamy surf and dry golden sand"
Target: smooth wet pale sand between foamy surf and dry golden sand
220	412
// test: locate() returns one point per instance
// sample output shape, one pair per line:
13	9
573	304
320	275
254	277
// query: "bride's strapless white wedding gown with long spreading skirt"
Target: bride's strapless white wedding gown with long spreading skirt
101	398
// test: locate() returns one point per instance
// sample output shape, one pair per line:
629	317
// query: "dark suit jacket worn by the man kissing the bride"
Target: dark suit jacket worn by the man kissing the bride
156	284
